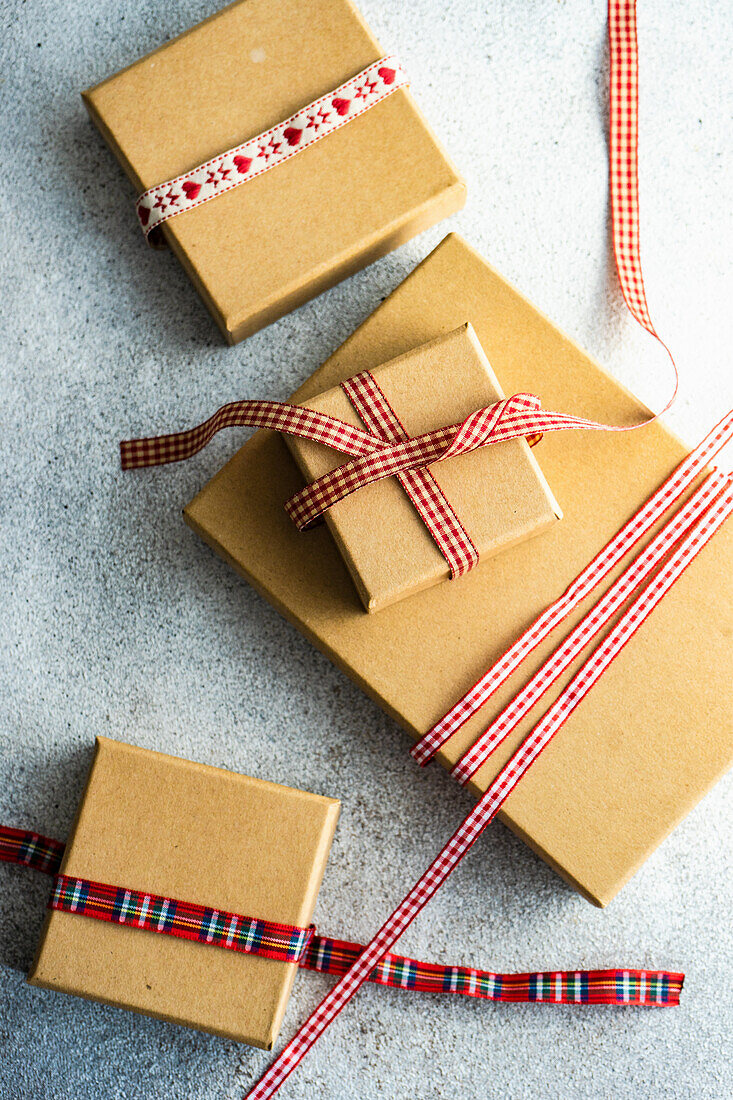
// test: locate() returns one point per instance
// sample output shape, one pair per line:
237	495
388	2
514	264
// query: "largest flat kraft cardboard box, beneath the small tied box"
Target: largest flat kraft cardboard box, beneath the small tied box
657	732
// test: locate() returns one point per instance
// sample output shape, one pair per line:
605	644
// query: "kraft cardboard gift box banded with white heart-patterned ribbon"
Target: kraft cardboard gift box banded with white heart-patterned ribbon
261	249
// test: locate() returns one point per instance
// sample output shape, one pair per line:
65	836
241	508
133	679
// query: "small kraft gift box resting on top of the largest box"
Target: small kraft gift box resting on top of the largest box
497	497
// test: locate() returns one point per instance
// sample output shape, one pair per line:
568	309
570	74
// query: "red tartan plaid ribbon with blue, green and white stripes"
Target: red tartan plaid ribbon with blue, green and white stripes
312	952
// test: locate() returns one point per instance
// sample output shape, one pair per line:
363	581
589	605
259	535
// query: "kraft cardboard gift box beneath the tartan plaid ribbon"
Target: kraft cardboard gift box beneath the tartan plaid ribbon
156	823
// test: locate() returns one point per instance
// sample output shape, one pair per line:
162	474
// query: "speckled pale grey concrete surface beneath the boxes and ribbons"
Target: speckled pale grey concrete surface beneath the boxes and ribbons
116	620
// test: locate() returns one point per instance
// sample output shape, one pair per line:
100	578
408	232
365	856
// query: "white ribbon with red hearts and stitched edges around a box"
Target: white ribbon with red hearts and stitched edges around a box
268	150
